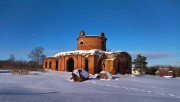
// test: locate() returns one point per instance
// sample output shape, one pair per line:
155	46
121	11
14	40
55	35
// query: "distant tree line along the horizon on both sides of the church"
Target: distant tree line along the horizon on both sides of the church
36	57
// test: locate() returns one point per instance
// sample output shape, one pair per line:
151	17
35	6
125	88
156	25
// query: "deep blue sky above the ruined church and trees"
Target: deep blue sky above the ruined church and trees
147	27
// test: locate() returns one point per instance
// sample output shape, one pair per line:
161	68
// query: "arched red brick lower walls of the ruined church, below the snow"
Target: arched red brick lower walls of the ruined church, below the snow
124	61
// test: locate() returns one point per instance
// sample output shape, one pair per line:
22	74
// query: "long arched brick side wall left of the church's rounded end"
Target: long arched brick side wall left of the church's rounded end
79	62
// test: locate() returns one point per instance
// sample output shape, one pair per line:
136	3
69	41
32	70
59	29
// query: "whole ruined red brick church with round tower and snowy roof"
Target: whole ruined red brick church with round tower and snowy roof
92	56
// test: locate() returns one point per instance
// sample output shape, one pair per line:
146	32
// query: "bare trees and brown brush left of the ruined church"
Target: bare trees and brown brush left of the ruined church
35	62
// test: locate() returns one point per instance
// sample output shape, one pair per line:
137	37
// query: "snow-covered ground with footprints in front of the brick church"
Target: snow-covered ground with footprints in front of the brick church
56	87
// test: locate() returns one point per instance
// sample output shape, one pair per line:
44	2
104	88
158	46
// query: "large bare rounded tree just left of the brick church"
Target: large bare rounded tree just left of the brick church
37	56
